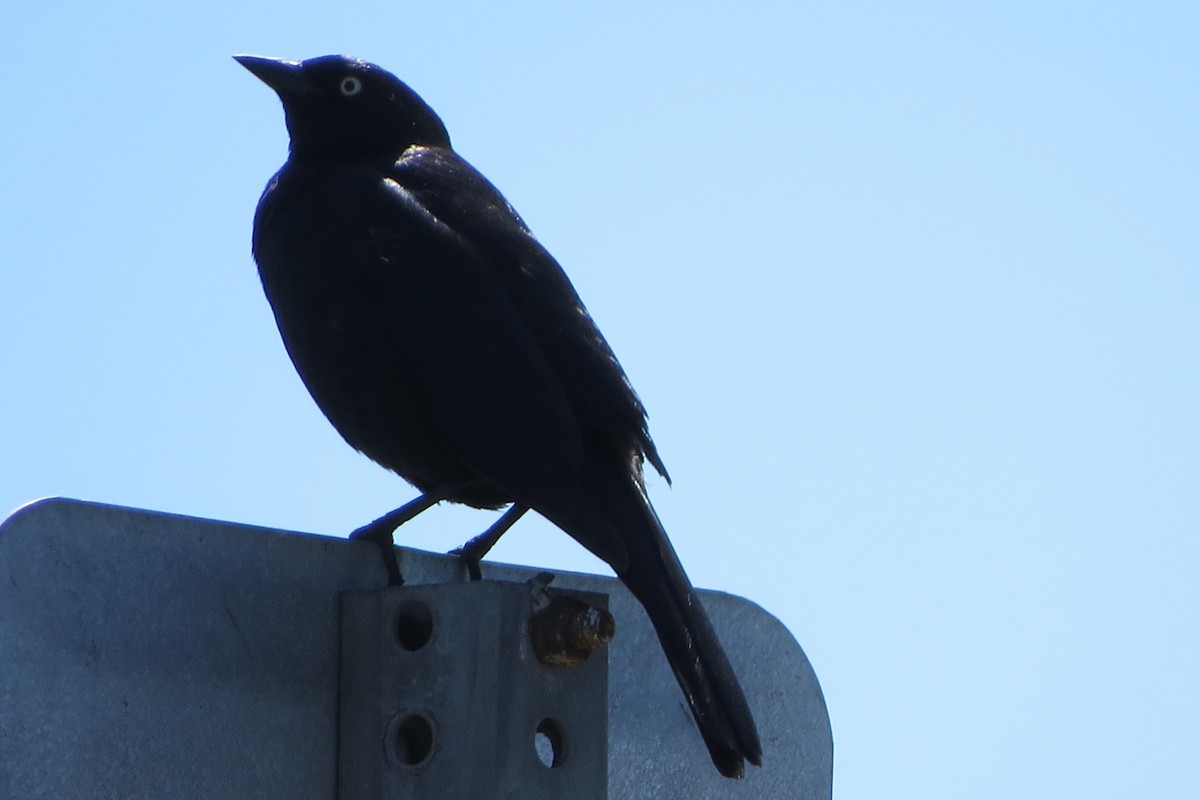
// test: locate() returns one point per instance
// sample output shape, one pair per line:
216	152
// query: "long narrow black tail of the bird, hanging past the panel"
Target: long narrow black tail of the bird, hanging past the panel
616	507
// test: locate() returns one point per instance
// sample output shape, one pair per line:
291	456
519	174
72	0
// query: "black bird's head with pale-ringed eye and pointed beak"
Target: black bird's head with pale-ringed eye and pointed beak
338	106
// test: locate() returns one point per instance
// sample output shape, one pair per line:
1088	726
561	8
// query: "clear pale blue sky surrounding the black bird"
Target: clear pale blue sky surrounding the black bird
909	290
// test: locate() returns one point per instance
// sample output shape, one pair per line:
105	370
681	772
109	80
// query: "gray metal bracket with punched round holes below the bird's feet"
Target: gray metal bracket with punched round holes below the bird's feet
443	696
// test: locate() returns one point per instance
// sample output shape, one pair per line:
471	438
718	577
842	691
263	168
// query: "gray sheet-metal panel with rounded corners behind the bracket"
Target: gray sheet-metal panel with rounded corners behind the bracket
151	655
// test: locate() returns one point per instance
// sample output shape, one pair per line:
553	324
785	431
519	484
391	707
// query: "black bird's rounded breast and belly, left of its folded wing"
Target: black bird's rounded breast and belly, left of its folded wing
332	263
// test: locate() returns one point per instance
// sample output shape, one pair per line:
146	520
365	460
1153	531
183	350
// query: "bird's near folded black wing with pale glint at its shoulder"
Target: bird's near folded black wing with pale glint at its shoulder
487	382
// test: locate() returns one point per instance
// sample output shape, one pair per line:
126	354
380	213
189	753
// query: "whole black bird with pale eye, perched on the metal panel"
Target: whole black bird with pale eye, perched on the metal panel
447	345
